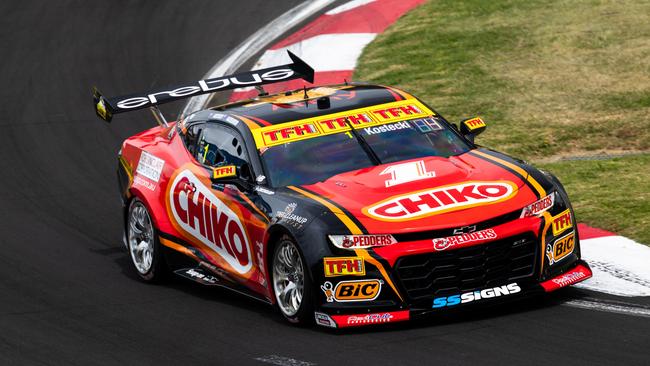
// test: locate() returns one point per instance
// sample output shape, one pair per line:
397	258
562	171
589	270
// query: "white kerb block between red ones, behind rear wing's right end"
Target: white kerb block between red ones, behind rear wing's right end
325	52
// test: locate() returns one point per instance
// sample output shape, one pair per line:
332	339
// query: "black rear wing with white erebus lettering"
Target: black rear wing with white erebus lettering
107	107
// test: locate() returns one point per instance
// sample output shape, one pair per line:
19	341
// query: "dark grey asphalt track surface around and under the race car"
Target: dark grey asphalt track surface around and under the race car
67	293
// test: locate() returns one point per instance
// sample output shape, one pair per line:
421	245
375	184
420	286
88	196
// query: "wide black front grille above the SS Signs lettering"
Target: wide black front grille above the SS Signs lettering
425	276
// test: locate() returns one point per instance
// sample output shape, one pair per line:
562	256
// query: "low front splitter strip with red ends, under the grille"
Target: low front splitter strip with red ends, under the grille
576	273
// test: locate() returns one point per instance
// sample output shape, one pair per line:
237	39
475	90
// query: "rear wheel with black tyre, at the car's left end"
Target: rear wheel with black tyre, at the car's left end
143	244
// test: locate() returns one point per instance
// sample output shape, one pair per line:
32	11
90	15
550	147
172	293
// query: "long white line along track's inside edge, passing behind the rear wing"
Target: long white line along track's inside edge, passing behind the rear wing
254	44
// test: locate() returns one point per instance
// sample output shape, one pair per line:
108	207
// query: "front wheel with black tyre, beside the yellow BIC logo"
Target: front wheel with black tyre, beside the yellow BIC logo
289	271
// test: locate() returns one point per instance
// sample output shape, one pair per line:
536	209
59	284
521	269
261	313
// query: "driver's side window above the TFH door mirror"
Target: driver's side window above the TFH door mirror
220	145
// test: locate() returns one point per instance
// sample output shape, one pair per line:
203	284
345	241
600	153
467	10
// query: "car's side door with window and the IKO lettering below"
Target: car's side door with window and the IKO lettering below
234	225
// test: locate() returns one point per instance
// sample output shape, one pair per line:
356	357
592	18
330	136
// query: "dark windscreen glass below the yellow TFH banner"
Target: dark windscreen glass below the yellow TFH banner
316	159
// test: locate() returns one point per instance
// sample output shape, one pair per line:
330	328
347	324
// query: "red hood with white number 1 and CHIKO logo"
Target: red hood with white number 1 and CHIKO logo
426	193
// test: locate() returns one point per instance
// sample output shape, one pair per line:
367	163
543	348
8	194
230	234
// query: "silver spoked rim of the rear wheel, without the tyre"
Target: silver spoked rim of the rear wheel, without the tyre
141	238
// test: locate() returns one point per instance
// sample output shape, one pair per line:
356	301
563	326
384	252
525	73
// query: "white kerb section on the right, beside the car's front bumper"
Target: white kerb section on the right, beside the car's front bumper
621	266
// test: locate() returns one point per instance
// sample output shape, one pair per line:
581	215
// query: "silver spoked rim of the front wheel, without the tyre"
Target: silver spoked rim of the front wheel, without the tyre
288	278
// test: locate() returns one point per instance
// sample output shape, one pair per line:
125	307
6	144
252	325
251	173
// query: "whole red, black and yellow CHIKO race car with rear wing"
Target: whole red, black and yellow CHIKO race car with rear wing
343	205
